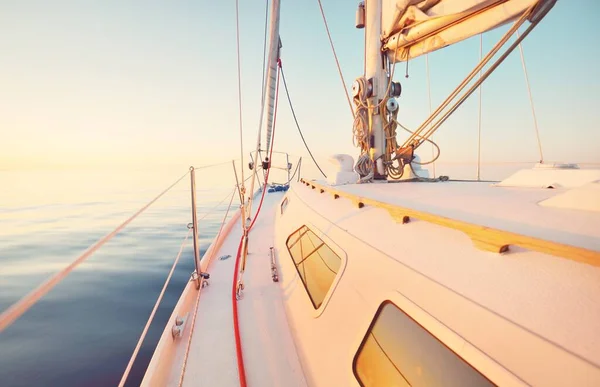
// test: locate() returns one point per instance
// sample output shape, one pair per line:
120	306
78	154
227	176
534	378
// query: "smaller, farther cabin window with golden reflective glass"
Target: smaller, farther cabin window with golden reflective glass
317	263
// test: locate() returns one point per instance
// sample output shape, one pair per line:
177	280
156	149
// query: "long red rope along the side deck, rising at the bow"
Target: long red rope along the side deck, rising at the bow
236	327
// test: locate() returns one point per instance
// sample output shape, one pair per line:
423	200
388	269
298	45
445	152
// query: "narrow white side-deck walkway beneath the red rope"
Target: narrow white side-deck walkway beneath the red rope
269	353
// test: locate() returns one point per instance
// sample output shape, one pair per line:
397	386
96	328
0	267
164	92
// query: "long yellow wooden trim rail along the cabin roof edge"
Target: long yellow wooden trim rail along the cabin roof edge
484	238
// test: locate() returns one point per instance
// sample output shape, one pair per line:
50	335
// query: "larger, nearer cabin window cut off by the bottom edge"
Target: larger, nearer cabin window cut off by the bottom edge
398	351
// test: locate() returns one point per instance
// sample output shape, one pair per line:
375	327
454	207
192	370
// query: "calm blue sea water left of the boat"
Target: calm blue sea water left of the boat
83	332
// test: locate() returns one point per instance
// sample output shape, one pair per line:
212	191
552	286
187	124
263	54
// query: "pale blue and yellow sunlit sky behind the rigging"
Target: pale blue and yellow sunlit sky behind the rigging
113	83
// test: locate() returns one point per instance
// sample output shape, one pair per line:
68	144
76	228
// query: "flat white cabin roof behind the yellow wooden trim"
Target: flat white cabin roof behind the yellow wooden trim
509	209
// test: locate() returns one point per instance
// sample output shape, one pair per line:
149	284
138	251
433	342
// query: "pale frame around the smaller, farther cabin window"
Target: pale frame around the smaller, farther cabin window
332	246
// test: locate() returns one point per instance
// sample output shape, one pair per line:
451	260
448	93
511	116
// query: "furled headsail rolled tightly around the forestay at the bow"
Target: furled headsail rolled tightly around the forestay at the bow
274	45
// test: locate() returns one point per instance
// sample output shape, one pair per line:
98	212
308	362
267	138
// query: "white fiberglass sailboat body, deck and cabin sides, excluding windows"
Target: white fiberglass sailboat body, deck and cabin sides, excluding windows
522	318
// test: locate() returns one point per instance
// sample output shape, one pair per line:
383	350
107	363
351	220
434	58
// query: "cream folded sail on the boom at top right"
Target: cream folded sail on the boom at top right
415	27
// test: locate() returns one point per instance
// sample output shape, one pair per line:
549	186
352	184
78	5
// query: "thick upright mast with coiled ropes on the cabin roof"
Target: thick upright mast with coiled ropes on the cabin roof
375	71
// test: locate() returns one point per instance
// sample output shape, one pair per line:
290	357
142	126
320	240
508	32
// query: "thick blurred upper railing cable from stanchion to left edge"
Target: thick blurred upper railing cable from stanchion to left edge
16	310
